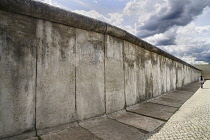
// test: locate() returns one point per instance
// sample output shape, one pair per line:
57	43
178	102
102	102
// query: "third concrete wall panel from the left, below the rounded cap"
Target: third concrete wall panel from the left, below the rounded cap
90	96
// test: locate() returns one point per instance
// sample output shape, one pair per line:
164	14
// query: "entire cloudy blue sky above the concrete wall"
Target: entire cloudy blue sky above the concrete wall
179	27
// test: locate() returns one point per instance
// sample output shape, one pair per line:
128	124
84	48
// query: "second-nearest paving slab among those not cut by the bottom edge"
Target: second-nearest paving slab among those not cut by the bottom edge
154	110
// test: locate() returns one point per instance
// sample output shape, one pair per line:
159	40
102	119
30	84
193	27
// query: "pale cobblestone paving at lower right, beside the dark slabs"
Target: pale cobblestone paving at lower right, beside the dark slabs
191	121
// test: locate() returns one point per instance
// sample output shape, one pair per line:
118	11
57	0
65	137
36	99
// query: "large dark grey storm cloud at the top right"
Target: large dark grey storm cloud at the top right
178	13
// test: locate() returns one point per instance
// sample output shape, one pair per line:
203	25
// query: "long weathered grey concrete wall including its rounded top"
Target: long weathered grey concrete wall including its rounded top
57	67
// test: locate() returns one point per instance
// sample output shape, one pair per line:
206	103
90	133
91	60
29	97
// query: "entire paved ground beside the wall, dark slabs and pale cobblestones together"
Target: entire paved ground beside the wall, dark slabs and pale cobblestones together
139	122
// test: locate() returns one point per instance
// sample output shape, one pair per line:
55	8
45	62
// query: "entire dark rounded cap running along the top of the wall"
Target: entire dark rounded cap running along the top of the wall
54	14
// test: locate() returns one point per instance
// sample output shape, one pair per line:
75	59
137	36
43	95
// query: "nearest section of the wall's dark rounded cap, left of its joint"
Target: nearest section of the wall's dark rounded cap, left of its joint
54	14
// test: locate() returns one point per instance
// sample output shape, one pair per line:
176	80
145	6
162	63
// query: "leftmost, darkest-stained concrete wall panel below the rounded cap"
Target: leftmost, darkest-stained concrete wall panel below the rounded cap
17	74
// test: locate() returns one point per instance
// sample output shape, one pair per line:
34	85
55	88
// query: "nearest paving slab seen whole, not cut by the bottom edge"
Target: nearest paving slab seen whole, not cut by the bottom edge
142	122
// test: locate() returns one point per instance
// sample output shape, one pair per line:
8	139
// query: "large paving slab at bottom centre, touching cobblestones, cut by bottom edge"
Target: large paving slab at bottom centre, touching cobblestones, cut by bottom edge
108	129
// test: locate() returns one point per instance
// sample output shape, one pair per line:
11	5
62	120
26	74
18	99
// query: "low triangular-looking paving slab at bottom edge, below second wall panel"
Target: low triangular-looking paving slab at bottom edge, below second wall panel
74	133
